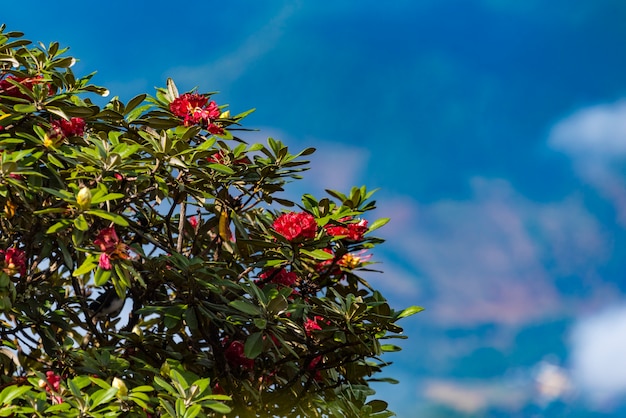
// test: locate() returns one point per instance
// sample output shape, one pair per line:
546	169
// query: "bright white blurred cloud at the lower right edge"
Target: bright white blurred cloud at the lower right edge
598	359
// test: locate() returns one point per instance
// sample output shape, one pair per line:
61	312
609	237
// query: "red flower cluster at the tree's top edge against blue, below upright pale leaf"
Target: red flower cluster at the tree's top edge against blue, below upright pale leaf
196	109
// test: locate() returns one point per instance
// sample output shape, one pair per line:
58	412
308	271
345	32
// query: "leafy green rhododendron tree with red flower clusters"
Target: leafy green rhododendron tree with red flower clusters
148	268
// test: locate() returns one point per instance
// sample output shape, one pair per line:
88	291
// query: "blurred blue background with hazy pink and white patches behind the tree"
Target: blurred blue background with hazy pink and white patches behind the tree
496	133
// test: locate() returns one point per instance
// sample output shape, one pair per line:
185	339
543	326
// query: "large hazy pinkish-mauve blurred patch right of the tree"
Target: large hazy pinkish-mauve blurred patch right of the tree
493	258
